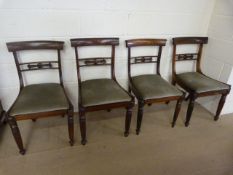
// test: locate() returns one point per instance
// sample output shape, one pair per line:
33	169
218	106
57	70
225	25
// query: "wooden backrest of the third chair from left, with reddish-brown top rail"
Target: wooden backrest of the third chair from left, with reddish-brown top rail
146	58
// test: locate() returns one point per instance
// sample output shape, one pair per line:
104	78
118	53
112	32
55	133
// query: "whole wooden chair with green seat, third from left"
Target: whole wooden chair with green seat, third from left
151	88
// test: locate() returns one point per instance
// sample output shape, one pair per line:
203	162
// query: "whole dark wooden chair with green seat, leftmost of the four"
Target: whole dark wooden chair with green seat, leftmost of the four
38	100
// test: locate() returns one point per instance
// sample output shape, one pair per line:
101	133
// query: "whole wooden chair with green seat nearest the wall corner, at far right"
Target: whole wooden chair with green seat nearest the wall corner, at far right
196	83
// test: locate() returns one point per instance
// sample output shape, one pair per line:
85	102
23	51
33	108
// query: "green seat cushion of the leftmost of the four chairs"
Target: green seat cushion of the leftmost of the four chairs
40	98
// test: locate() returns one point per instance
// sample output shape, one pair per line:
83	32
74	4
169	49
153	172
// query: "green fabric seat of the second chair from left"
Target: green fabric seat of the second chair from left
102	91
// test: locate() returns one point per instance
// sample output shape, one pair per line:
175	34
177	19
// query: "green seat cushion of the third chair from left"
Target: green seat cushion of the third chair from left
152	86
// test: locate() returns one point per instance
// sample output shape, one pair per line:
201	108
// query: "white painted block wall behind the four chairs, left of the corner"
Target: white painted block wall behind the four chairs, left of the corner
65	19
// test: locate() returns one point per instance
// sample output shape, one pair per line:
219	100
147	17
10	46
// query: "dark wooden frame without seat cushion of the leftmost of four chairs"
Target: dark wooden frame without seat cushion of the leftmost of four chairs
16	47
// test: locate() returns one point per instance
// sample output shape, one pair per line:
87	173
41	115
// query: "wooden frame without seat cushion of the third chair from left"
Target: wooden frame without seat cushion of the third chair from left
149	59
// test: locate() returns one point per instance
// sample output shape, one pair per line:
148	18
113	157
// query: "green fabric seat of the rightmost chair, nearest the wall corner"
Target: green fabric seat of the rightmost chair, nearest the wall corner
200	83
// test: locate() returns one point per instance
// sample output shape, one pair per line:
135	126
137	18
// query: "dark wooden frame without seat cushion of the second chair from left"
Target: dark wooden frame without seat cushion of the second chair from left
99	61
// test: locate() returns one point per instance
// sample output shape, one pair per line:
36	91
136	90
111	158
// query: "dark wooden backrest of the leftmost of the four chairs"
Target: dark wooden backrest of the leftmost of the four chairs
16	47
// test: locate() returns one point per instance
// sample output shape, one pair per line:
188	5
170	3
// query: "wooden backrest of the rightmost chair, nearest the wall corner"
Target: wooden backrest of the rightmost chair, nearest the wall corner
188	56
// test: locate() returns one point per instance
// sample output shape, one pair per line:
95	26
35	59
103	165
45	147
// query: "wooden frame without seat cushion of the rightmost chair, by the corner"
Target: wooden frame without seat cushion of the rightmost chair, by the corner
200	41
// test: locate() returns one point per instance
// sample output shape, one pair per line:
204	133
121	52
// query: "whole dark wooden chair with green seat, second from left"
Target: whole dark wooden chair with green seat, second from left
100	94
